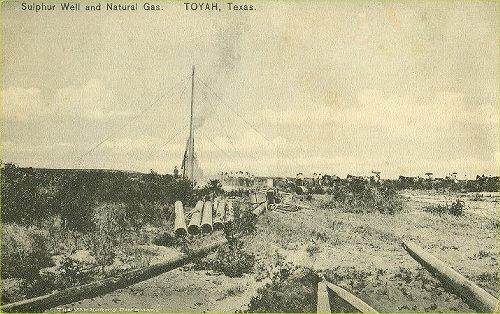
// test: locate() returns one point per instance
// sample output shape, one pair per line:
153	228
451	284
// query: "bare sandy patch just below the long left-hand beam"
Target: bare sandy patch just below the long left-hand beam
175	291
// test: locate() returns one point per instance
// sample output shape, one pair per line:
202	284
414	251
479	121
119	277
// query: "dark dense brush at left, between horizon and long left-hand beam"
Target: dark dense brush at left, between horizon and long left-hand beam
49	213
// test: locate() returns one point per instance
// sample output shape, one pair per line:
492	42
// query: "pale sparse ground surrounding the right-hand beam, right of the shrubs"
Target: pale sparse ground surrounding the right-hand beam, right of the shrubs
362	254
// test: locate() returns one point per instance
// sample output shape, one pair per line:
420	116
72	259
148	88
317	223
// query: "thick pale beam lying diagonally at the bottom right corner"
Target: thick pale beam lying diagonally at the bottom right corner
472	294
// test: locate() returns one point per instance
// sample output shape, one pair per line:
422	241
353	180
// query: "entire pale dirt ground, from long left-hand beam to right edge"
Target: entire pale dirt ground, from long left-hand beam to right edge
359	252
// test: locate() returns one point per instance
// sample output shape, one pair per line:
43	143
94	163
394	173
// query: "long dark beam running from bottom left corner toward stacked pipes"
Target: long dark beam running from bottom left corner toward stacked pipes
107	285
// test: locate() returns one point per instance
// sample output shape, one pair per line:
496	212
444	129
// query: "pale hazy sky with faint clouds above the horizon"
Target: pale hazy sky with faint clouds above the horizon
332	87
